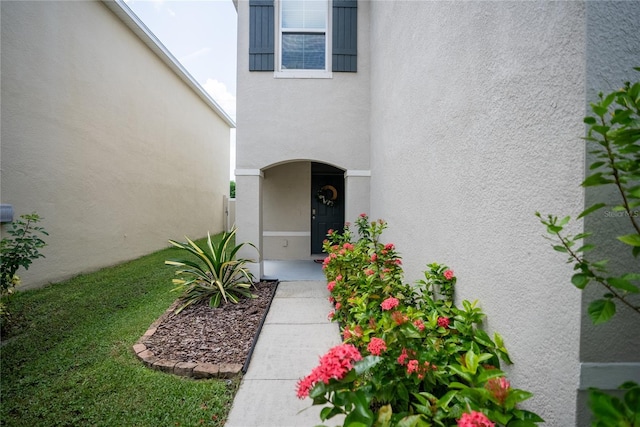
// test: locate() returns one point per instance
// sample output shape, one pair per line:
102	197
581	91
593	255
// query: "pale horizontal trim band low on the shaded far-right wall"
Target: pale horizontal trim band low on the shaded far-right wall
608	376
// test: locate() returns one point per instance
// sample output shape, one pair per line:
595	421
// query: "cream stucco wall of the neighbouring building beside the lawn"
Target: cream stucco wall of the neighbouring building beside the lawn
102	139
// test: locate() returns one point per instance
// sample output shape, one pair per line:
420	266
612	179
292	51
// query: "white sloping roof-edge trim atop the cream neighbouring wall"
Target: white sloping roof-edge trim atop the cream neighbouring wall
131	20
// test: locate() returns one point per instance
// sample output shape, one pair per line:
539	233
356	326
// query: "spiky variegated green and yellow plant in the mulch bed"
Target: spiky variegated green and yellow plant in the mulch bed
215	276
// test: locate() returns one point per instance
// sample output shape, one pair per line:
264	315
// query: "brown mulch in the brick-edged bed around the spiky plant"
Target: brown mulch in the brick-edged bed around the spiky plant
203	334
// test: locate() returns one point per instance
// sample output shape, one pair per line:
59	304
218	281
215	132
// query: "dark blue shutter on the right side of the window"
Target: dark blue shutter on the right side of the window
345	35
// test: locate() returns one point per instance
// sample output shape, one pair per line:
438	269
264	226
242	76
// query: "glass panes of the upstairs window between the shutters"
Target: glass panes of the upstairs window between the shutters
303	34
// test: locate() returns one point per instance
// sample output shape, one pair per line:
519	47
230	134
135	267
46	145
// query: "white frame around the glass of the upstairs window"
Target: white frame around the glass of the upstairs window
302	74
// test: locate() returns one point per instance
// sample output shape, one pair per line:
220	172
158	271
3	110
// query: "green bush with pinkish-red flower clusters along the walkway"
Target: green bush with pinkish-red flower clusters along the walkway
423	360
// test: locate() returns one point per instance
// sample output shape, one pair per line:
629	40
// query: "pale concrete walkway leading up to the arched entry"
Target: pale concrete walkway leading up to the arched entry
295	334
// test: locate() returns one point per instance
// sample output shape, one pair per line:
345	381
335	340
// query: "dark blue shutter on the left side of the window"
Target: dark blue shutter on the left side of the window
261	35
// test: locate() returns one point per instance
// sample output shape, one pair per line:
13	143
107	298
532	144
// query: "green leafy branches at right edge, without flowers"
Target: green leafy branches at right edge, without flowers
614	130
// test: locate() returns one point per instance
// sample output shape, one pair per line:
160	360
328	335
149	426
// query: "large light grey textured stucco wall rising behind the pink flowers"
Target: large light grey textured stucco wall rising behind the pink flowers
476	124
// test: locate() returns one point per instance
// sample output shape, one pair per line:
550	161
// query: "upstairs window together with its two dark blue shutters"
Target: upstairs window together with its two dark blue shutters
309	38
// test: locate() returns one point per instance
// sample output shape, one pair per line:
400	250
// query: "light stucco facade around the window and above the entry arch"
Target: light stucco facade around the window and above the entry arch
325	120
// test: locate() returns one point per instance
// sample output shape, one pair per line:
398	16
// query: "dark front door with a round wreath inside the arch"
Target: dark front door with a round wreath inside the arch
327	205
